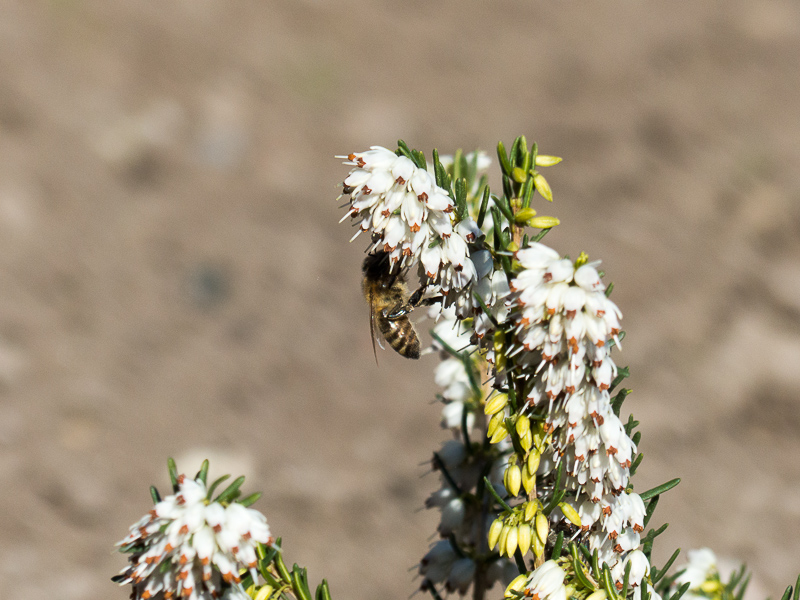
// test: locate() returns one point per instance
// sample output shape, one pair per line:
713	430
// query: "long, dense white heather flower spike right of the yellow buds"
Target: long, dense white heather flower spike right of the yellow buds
564	326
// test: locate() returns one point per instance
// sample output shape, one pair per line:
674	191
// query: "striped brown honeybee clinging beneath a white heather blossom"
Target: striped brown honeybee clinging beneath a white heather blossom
389	304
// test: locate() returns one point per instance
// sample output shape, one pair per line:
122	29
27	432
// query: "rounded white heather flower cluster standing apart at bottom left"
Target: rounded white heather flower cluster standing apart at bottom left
187	547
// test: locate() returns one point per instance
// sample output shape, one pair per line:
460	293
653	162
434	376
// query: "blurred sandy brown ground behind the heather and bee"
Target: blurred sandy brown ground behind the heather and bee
174	281
